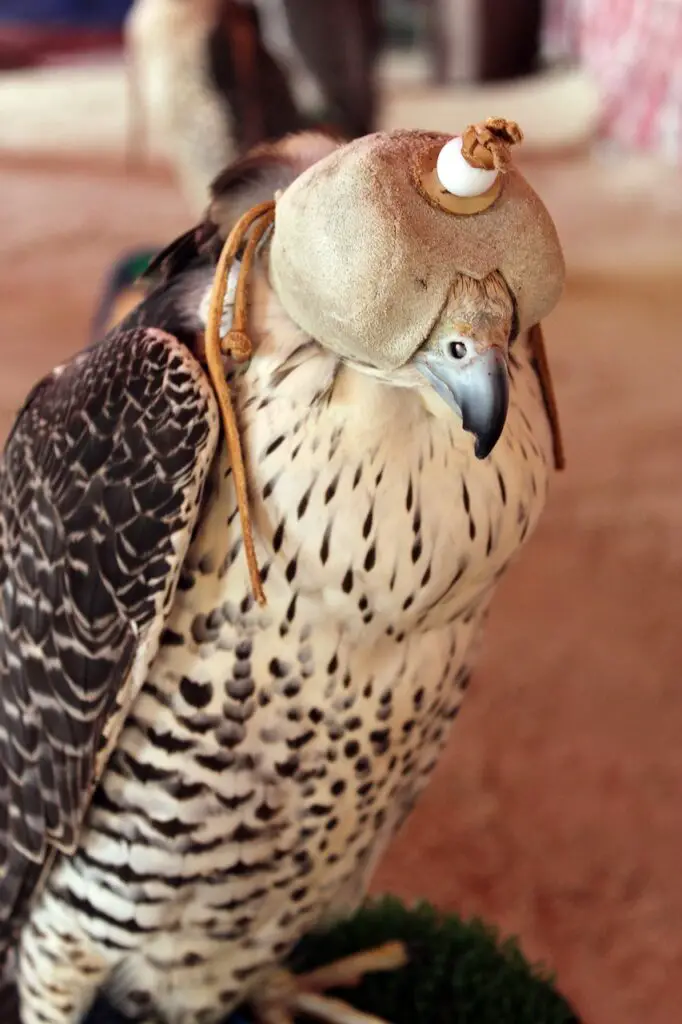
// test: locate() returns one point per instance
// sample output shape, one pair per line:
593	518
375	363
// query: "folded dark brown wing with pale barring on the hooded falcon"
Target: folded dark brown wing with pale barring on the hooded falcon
101	485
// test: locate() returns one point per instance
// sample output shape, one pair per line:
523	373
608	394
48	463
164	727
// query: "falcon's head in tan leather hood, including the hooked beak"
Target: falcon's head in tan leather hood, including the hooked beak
418	258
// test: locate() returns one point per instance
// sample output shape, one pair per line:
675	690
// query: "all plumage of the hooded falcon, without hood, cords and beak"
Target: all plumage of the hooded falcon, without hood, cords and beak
192	783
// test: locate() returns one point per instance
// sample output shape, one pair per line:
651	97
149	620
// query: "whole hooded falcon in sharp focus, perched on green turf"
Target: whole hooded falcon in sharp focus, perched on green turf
249	541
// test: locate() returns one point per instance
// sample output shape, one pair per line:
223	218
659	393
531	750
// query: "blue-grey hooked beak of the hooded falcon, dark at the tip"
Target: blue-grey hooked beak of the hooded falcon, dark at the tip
475	385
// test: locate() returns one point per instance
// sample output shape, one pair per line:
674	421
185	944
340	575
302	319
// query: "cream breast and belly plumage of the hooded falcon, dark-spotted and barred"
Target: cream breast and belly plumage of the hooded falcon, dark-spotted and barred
274	751
